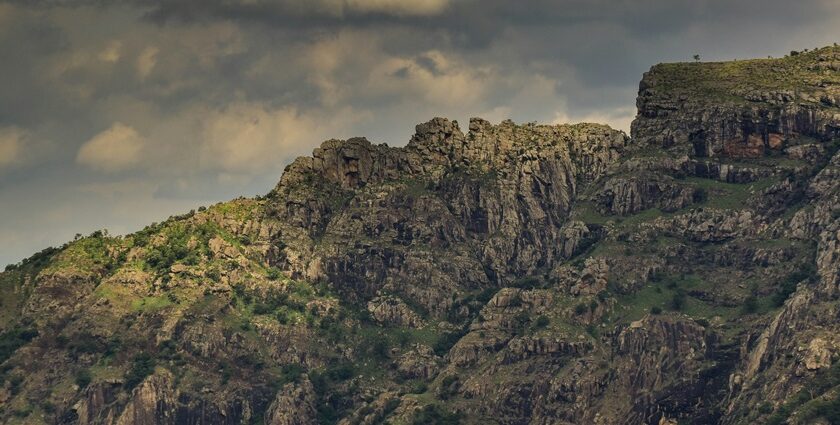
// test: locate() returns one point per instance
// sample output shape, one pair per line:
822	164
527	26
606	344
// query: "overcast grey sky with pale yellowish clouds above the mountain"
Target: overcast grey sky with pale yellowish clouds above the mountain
114	114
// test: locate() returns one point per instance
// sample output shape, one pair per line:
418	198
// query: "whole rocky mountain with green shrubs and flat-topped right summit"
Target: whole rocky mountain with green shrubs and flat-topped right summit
512	274
